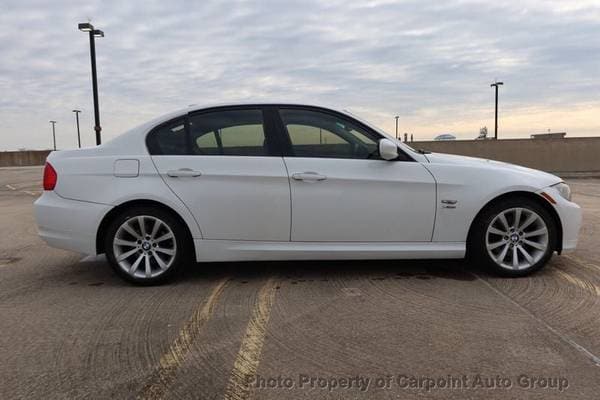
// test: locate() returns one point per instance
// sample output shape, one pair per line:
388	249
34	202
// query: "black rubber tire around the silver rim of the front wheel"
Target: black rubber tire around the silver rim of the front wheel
477	249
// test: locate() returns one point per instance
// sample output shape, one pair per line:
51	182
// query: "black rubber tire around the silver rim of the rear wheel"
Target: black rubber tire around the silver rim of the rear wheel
181	243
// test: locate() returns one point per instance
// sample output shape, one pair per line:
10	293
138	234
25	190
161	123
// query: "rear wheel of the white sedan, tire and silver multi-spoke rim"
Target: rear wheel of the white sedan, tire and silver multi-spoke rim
146	245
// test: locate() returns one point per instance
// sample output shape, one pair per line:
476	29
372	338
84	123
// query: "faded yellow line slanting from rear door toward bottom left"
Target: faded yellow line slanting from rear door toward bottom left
170	361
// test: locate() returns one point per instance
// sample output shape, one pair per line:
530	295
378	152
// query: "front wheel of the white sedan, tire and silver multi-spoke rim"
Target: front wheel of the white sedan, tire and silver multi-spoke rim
514	237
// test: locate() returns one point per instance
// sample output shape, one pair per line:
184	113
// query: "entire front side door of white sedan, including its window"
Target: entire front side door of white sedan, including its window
342	191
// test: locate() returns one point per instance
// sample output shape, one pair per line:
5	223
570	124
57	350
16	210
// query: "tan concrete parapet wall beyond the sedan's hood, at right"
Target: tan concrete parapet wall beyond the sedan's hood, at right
552	155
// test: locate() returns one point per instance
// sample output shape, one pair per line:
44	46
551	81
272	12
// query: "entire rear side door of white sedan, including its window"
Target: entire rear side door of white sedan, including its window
222	163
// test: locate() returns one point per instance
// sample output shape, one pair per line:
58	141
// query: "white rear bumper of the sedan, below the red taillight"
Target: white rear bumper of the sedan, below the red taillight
68	224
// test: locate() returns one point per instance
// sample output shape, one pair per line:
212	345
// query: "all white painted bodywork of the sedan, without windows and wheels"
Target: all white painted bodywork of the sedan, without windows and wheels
251	208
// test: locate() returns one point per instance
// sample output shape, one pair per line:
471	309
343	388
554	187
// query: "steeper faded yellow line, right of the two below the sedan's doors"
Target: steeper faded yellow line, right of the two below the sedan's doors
248	358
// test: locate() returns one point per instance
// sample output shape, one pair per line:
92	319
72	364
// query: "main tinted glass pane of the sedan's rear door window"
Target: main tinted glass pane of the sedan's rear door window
233	132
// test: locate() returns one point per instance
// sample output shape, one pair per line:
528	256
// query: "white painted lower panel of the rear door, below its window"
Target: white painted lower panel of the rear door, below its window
236	198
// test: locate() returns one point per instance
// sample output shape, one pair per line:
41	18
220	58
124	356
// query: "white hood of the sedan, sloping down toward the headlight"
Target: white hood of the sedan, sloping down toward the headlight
475	162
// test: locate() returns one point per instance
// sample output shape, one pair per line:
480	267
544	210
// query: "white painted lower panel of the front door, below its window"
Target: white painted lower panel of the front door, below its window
361	201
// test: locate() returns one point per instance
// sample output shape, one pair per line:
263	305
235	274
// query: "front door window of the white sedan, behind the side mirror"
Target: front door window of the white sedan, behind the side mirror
319	134
